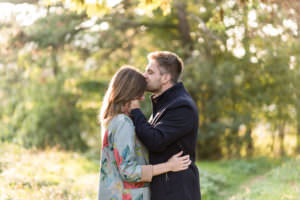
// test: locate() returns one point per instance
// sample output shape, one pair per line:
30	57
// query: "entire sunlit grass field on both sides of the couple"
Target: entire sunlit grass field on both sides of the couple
57	175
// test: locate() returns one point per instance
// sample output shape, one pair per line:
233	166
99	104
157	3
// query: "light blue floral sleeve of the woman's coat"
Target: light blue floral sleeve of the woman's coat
124	151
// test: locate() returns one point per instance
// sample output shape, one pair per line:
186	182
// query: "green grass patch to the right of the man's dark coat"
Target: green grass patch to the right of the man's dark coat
259	179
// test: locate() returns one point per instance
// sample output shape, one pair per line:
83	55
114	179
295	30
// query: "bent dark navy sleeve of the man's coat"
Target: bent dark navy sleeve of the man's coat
174	124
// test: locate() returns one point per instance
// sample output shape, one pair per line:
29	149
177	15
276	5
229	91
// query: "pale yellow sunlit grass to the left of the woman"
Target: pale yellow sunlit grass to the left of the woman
49	175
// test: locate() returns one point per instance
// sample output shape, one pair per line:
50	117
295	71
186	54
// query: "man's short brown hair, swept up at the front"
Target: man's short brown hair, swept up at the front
169	62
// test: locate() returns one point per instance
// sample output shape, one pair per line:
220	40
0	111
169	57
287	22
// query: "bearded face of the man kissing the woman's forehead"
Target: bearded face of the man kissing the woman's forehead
153	77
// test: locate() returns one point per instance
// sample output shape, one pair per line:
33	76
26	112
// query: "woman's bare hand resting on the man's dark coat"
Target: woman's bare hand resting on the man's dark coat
177	163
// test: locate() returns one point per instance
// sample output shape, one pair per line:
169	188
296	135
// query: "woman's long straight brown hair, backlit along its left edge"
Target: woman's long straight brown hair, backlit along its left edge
127	84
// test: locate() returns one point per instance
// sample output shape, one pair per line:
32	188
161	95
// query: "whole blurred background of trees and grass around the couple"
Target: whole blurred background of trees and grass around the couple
242	68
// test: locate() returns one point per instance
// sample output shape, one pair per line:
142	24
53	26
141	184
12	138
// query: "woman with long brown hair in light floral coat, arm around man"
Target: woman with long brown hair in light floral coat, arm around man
124	169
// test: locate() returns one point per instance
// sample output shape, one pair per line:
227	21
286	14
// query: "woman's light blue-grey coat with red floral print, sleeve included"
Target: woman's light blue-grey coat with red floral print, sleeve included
121	159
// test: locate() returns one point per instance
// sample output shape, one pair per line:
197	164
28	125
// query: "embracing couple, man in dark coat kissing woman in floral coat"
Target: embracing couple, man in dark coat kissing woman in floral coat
155	159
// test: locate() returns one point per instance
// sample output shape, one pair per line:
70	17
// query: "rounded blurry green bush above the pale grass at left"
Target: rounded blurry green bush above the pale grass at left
48	116
